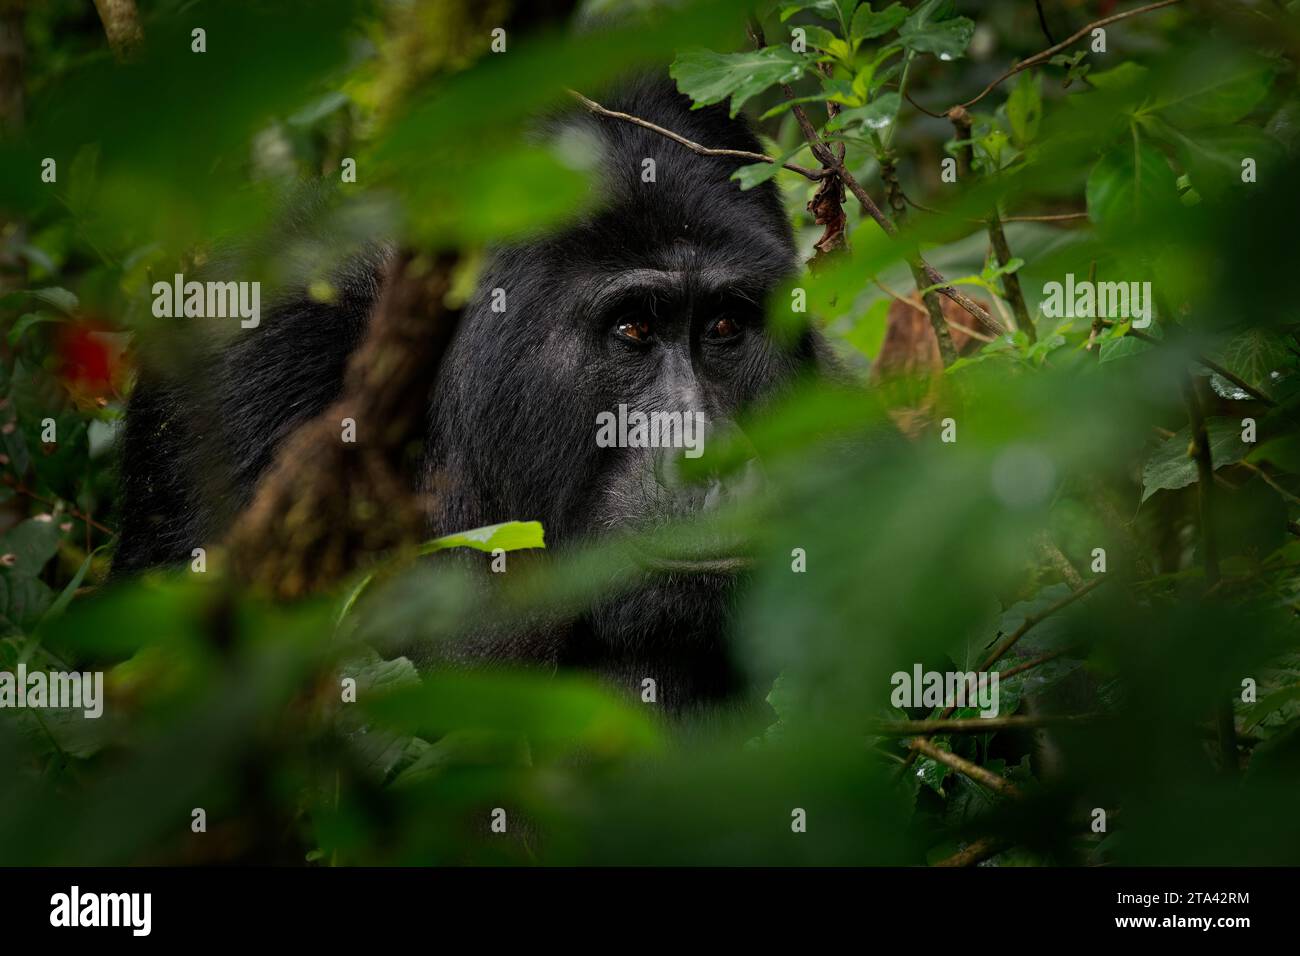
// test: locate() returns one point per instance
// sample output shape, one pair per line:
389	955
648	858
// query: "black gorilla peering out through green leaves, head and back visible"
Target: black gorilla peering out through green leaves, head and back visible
655	301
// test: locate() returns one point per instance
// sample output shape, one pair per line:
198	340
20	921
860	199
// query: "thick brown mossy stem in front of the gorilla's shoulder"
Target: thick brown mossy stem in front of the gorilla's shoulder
327	505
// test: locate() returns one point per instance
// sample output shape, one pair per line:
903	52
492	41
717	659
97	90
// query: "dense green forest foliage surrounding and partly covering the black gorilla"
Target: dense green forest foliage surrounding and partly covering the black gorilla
1072	444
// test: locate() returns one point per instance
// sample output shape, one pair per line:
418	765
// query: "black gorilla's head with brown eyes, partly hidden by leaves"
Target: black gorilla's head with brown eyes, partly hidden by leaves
653	305
